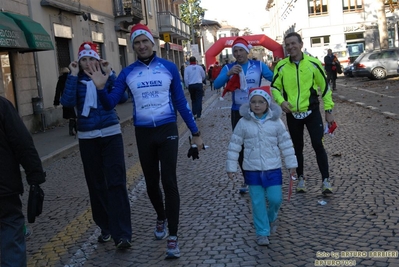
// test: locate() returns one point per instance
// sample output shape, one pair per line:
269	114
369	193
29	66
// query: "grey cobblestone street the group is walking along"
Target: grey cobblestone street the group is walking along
216	228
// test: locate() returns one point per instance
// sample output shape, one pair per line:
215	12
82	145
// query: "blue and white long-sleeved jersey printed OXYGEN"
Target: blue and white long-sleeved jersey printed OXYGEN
157	93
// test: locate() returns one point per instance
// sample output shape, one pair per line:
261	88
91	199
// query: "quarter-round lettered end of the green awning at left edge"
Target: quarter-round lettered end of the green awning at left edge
11	36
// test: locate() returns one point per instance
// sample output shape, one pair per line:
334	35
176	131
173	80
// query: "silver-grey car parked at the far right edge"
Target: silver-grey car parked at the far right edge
377	64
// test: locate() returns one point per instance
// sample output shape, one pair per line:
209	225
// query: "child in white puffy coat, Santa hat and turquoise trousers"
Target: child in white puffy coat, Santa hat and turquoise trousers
265	139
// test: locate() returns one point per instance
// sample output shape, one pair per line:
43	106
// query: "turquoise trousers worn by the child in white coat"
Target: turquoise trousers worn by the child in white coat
266	203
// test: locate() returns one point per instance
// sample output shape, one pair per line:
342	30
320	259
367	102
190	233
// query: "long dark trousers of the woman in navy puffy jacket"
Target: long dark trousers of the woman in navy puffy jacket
105	172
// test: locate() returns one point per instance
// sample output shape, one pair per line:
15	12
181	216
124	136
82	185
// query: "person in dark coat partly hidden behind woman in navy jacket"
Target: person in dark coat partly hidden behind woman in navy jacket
67	112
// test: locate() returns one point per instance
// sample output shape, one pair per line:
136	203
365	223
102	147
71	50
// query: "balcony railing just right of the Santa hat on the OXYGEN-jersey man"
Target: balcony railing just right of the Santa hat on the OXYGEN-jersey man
169	23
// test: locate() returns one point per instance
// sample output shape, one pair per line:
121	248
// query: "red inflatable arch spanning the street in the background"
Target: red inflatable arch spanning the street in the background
254	40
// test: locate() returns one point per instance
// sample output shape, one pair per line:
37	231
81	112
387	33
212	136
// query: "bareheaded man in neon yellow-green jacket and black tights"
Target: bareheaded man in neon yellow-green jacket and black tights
296	82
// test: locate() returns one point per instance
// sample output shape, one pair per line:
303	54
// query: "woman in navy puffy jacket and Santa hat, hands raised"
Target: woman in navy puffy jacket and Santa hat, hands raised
101	147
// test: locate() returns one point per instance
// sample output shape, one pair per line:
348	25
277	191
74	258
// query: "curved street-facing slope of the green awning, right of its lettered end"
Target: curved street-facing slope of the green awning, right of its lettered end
36	36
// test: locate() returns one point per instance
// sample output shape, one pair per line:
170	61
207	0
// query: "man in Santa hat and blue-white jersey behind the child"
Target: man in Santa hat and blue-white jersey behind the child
253	70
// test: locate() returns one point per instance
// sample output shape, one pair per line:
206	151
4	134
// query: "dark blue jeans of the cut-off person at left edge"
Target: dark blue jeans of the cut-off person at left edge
12	239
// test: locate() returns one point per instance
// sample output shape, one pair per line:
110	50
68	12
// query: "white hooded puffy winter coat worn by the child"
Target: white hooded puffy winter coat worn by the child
264	142
